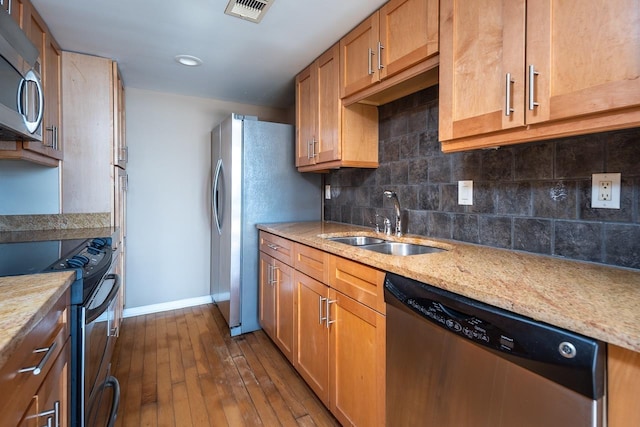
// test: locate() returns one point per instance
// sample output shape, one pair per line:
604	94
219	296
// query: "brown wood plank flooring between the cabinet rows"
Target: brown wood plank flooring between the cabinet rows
181	368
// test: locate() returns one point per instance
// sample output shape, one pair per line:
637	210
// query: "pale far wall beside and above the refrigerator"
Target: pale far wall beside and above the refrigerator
168	218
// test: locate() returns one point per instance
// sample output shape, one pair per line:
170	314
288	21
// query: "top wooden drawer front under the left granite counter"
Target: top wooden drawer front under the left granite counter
18	388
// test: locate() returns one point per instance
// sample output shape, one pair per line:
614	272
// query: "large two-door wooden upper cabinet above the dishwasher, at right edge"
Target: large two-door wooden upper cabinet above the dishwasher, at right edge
515	71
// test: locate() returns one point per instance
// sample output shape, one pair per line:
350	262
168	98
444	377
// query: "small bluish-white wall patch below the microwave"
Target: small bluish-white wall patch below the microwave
28	189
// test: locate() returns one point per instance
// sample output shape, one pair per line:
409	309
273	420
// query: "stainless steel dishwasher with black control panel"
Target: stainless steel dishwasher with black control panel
456	362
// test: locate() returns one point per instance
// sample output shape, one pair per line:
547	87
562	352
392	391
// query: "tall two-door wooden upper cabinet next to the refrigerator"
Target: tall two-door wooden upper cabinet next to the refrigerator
329	135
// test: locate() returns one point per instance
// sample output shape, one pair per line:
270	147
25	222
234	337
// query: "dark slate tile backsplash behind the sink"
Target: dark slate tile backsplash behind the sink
533	197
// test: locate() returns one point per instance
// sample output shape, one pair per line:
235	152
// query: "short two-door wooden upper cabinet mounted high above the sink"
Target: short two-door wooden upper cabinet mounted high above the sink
399	35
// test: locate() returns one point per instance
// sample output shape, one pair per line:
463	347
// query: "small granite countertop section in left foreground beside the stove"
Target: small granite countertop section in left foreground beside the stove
25	300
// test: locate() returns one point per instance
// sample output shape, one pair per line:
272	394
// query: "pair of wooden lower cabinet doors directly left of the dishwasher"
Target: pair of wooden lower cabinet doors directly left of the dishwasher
341	352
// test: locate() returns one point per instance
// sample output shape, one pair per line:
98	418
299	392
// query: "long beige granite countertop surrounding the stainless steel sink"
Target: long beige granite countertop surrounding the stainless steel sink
594	300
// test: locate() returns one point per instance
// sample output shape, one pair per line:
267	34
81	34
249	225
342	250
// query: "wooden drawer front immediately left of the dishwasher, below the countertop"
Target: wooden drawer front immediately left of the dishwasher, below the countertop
358	281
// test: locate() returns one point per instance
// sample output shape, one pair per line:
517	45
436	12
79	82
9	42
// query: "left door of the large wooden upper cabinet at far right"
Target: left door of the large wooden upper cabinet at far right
480	45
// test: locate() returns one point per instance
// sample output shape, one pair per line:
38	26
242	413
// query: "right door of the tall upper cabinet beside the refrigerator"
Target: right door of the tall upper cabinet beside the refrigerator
328	105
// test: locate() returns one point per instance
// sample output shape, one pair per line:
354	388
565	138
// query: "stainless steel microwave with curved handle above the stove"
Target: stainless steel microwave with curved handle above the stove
21	92
